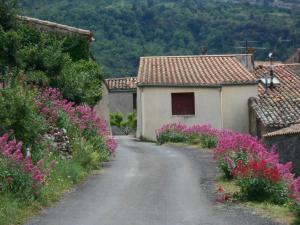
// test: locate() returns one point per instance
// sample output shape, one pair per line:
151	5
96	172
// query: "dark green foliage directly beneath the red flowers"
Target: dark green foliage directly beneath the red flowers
260	189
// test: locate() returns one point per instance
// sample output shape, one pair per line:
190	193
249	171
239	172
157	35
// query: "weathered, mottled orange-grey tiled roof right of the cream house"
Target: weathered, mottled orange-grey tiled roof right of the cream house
279	107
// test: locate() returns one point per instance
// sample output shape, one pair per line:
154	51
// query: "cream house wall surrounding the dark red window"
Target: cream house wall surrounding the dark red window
155	110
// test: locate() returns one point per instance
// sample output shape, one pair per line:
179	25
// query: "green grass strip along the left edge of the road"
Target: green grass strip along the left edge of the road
15	211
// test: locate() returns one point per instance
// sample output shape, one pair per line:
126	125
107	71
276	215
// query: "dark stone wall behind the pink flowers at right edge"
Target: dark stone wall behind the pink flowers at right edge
288	147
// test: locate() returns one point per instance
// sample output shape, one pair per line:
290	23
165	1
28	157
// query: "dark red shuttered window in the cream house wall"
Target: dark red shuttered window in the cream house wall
183	104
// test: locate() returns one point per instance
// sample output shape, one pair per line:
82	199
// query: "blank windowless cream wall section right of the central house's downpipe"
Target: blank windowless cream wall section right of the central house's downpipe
235	107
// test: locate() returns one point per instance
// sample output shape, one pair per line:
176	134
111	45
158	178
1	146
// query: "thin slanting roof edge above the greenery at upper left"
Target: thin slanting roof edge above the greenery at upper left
56	27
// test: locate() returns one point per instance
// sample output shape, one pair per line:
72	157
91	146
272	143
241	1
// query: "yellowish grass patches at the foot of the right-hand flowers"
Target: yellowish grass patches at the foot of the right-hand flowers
281	214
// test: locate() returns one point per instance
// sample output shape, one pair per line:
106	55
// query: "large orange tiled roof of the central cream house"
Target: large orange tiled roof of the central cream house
214	70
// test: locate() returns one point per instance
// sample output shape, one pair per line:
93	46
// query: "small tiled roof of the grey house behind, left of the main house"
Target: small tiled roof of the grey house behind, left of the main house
124	83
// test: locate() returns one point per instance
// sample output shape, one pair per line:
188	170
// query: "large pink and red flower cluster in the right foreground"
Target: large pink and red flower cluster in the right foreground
257	169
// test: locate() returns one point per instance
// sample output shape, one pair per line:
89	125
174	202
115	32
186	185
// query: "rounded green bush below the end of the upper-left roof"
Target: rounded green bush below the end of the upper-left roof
81	82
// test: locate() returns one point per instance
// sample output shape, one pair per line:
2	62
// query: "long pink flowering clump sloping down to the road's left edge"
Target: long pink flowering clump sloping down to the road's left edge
60	112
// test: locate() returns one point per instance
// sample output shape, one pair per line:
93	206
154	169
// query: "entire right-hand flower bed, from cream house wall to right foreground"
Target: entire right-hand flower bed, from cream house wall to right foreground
243	158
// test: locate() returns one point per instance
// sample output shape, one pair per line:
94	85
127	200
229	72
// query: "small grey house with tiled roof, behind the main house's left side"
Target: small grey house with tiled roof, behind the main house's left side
122	94
